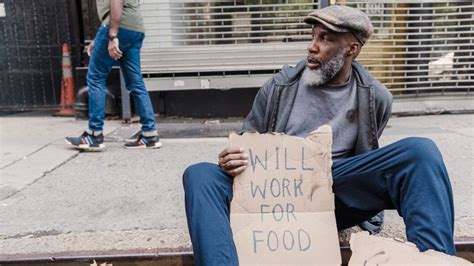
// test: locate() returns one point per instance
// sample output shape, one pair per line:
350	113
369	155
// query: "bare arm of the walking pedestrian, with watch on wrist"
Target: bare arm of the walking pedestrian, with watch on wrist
116	8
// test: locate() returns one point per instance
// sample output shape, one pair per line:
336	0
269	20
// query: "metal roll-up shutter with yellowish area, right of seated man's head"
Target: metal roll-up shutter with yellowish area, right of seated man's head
420	47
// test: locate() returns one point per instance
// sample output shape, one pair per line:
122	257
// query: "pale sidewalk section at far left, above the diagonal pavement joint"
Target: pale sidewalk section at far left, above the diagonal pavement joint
32	146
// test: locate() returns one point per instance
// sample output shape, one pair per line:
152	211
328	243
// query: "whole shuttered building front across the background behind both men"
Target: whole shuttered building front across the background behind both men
422	47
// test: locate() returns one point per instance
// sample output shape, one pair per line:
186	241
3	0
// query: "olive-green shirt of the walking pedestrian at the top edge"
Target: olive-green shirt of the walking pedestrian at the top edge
131	16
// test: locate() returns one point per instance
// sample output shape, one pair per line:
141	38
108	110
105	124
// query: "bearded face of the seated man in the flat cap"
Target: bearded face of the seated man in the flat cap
326	56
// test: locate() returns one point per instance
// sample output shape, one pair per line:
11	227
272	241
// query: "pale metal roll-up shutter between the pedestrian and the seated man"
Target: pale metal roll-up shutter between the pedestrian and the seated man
225	38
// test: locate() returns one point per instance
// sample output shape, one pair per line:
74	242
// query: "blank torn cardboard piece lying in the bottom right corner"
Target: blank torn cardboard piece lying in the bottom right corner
373	250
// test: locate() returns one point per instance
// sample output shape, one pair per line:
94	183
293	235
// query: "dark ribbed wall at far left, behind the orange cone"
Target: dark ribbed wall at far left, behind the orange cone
31	36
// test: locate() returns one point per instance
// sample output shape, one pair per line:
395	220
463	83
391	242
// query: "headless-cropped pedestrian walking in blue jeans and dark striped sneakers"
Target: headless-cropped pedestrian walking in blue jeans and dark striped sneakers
118	40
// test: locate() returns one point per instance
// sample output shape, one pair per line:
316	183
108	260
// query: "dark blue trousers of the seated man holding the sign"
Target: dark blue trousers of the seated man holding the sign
408	175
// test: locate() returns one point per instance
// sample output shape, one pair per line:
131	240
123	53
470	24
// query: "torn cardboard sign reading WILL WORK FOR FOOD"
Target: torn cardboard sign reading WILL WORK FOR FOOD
282	211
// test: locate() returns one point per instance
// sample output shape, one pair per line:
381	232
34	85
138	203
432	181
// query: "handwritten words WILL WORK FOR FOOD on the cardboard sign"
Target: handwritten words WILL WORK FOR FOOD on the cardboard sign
278	188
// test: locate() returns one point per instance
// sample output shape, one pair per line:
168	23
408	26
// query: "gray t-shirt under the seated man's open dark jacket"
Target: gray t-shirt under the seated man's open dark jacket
327	105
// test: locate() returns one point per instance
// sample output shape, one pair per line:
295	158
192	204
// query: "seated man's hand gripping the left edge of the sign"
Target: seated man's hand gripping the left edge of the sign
233	160
